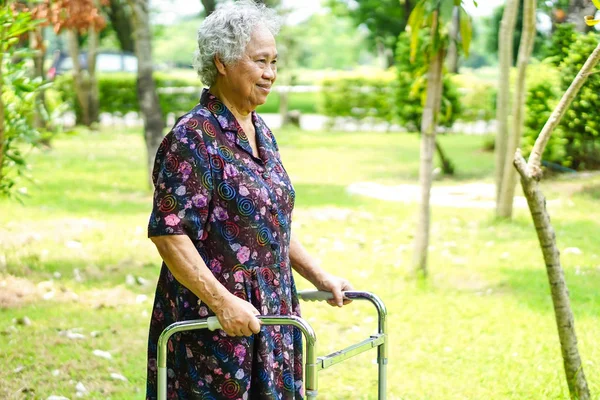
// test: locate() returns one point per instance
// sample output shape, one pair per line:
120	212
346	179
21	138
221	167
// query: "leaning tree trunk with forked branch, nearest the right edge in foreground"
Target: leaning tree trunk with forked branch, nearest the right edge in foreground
531	174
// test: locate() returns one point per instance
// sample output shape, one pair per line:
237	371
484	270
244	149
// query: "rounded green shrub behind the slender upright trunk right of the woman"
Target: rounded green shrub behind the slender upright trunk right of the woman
411	88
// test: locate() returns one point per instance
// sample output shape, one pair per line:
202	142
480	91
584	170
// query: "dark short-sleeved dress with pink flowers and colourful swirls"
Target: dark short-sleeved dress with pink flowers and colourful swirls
237	209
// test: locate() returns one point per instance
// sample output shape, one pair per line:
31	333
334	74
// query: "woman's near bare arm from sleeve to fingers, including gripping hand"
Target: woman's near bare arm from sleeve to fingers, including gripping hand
237	316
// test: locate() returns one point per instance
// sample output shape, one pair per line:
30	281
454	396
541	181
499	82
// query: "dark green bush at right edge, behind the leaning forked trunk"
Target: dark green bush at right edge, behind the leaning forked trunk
580	126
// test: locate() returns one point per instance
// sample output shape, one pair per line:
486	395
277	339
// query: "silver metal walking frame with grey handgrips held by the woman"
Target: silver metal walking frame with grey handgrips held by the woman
313	364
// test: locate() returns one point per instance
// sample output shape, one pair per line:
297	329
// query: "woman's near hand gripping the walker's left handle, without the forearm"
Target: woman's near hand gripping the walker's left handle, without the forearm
238	317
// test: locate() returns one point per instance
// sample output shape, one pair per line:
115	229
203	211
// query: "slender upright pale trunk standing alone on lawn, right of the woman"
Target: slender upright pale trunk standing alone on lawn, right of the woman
428	131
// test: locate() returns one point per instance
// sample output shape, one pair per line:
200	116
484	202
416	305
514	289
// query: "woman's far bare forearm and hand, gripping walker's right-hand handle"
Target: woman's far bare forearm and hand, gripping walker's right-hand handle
308	267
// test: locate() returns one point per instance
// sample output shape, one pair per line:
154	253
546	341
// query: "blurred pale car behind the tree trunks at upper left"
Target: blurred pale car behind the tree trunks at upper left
106	61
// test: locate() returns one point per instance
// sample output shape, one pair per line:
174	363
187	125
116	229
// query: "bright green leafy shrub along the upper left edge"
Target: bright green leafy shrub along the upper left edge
18	96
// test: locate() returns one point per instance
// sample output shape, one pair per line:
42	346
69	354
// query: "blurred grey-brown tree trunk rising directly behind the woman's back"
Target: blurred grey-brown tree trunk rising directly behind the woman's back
146	88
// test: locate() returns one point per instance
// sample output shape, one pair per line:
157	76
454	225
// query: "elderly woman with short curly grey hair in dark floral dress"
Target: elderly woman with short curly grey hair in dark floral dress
221	221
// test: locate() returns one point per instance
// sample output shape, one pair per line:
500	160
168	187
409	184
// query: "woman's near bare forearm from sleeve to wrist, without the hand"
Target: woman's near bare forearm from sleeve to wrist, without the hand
189	269
